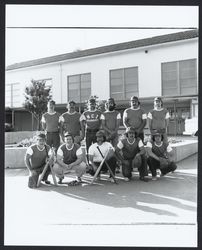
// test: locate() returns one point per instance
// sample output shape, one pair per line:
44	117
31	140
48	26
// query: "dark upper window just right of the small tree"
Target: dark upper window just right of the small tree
79	87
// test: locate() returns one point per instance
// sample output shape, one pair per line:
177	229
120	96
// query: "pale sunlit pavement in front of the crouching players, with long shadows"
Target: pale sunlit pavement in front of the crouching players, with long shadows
157	213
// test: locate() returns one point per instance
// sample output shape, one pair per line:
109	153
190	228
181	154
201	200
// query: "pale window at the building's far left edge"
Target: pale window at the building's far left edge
12	95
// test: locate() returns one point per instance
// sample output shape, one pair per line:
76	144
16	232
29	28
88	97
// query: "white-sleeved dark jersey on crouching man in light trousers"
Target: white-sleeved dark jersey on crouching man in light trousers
69	155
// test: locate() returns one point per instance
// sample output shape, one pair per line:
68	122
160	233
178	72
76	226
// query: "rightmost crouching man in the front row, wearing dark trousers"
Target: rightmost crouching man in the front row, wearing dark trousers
161	156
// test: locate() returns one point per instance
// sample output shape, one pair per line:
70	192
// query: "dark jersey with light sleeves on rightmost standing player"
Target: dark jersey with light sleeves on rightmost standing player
158	118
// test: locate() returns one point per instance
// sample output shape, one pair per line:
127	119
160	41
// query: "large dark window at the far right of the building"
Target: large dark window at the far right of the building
179	78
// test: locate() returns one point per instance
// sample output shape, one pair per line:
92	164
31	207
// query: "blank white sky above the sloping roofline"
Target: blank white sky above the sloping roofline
30	43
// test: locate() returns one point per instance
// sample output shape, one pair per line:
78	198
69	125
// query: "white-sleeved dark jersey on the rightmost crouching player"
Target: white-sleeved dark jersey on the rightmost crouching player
160	150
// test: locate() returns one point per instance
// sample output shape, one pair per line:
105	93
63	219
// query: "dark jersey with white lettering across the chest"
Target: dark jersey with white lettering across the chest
92	119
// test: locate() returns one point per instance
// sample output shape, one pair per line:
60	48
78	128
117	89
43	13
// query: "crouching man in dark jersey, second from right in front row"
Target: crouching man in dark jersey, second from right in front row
132	154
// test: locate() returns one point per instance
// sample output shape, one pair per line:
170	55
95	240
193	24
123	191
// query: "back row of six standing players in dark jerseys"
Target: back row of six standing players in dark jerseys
87	124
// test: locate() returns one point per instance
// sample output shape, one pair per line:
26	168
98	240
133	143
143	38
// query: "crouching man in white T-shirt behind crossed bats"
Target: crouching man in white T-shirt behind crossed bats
98	151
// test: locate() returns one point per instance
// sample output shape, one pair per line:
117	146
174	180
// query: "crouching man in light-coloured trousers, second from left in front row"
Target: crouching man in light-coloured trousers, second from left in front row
70	159
